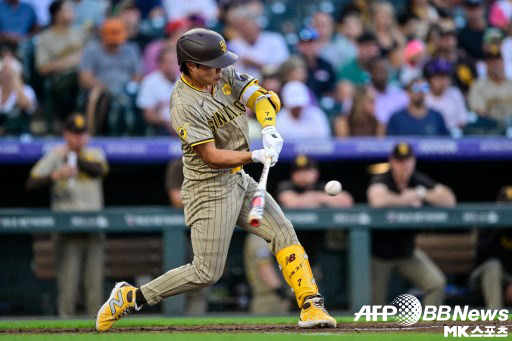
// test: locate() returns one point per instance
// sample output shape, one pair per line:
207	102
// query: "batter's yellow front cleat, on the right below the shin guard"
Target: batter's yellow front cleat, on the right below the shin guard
314	315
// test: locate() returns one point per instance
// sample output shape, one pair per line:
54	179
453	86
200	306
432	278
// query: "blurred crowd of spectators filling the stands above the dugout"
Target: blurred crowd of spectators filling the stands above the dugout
341	68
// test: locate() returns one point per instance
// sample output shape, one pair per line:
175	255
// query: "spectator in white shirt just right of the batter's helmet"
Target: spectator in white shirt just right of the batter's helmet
256	48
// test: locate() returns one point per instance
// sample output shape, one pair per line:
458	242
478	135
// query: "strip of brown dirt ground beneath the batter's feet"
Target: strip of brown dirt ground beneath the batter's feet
359	327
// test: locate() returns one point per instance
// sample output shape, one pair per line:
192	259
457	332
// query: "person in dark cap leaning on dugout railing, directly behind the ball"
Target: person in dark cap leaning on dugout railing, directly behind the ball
303	190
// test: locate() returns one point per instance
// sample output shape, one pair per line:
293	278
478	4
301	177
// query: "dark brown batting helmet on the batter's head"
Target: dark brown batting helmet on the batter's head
205	47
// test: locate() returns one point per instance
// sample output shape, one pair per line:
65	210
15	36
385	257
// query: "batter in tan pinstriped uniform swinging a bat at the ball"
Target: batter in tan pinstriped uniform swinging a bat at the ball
208	113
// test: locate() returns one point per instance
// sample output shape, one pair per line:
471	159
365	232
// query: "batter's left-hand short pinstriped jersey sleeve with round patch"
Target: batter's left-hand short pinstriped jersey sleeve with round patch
190	125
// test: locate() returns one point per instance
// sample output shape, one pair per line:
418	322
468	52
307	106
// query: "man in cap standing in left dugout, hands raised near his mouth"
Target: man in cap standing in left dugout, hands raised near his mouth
74	172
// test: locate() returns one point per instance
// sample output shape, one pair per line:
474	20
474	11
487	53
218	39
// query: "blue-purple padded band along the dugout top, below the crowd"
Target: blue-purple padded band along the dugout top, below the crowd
159	150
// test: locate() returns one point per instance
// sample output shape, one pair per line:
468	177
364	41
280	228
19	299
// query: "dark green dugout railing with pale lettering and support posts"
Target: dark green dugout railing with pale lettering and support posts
358	221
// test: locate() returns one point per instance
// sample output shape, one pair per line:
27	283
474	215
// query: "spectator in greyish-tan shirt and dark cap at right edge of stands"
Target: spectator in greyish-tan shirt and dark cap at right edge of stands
491	97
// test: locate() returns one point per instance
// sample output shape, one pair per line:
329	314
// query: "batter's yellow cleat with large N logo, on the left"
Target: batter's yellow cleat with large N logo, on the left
120	303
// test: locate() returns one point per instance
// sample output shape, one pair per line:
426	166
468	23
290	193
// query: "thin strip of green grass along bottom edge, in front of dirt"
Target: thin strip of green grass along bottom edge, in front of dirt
228	337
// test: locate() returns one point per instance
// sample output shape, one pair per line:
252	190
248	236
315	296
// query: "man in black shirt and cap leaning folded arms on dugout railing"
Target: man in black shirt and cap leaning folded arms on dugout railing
394	250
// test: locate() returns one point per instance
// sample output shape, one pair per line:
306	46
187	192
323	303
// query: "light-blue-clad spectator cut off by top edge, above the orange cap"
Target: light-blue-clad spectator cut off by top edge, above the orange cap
89	14
